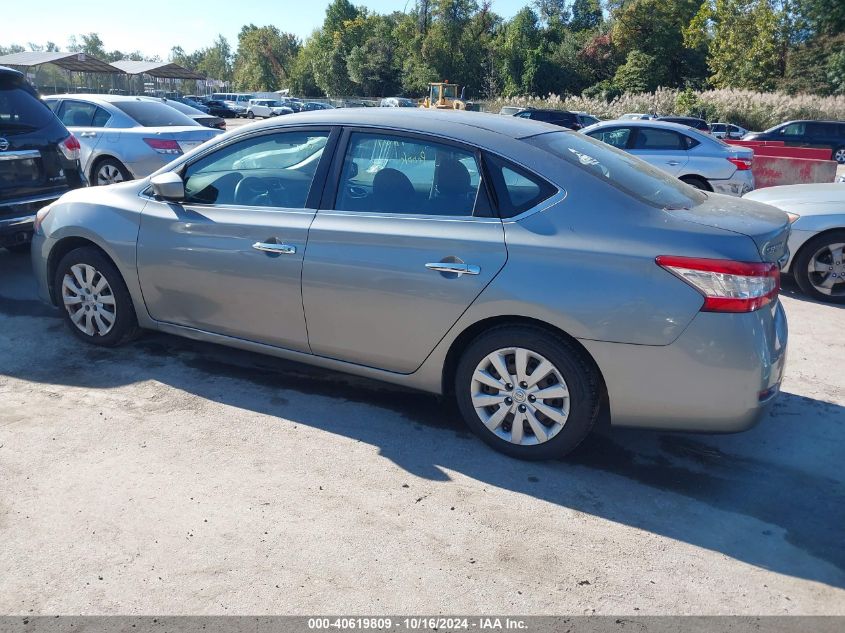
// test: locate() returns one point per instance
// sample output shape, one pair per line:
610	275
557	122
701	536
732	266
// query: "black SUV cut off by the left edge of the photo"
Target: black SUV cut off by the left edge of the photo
39	158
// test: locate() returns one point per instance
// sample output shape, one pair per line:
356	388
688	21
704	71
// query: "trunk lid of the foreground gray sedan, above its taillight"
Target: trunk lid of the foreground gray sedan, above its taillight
766	225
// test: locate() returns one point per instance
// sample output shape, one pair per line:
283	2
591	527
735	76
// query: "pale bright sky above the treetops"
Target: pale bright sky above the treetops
155	26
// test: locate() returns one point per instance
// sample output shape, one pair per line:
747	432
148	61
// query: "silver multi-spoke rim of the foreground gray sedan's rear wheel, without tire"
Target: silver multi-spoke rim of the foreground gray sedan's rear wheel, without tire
520	396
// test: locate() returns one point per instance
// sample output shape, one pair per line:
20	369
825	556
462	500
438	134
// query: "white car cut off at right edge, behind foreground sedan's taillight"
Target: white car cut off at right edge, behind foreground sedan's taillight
817	240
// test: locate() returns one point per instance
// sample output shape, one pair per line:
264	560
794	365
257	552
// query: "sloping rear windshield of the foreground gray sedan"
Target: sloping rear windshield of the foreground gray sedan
623	171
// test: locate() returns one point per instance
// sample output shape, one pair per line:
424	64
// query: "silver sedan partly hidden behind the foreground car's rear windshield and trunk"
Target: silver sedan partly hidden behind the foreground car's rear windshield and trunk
695	157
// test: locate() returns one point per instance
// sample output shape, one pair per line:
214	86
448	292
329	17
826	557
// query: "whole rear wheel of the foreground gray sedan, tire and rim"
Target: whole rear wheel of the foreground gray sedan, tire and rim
526	392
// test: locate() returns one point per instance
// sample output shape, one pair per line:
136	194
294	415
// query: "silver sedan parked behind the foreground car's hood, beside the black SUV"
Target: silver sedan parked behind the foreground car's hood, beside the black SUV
123	137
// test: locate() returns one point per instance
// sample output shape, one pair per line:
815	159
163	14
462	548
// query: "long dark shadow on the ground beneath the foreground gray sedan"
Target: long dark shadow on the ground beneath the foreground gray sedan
772	497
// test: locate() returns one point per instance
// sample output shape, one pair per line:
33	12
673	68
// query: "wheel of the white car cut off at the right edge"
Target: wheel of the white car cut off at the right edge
819	268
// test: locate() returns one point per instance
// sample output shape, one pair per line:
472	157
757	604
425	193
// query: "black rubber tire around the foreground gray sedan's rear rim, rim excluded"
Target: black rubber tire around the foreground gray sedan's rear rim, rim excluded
578	372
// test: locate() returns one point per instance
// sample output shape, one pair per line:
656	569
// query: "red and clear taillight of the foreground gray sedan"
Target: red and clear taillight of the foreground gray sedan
727	286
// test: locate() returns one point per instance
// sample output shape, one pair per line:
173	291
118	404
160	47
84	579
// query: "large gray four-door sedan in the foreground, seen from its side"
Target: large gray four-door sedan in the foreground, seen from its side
540	277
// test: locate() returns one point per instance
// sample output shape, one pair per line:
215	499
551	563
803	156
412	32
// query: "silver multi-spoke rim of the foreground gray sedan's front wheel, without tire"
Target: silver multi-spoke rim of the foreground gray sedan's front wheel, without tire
89	300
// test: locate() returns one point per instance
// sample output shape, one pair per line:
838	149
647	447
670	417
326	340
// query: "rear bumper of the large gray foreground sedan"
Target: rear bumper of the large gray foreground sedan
721	375
